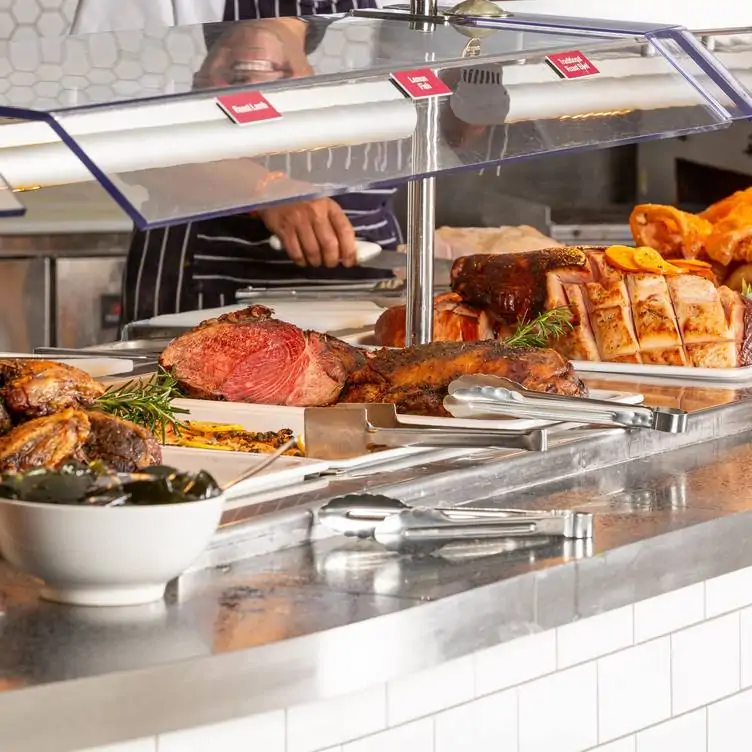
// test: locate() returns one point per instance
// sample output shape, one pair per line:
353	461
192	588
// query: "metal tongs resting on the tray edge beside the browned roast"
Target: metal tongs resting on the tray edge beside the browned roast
491	396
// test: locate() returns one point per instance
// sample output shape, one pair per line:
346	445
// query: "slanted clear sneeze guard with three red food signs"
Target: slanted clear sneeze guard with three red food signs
137	111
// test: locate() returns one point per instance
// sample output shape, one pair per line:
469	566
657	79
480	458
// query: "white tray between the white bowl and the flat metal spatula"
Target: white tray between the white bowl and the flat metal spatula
225	466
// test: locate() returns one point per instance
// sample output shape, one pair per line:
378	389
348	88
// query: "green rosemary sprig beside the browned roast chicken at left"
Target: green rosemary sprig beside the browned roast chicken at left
147	403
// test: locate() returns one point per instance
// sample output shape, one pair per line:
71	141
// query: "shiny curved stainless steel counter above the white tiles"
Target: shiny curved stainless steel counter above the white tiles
330	616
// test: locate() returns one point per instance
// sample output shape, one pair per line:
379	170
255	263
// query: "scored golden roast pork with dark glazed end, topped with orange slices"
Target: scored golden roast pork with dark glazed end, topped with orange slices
616	316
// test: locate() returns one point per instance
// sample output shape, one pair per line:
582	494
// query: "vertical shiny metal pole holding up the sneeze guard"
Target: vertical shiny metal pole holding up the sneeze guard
421	209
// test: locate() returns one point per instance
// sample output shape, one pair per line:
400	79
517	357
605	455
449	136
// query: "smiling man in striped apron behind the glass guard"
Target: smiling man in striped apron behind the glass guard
202	264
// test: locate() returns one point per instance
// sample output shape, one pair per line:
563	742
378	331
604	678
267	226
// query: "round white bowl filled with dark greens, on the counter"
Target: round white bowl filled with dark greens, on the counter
99	556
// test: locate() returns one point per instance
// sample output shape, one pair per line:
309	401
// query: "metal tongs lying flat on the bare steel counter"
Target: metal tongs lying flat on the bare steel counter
399	527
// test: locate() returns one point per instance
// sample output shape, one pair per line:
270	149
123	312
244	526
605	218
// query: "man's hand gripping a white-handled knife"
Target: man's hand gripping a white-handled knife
313	232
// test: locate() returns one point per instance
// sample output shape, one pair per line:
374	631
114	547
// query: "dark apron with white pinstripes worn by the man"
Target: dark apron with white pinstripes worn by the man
202	264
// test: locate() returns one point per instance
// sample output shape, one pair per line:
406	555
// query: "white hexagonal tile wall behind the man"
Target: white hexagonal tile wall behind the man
100	67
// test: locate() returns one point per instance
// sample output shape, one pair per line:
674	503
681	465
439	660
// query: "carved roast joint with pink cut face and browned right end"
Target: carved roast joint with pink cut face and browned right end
248	356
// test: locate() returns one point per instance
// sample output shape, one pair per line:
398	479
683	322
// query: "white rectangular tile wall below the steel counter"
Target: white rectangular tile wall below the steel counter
677	689
